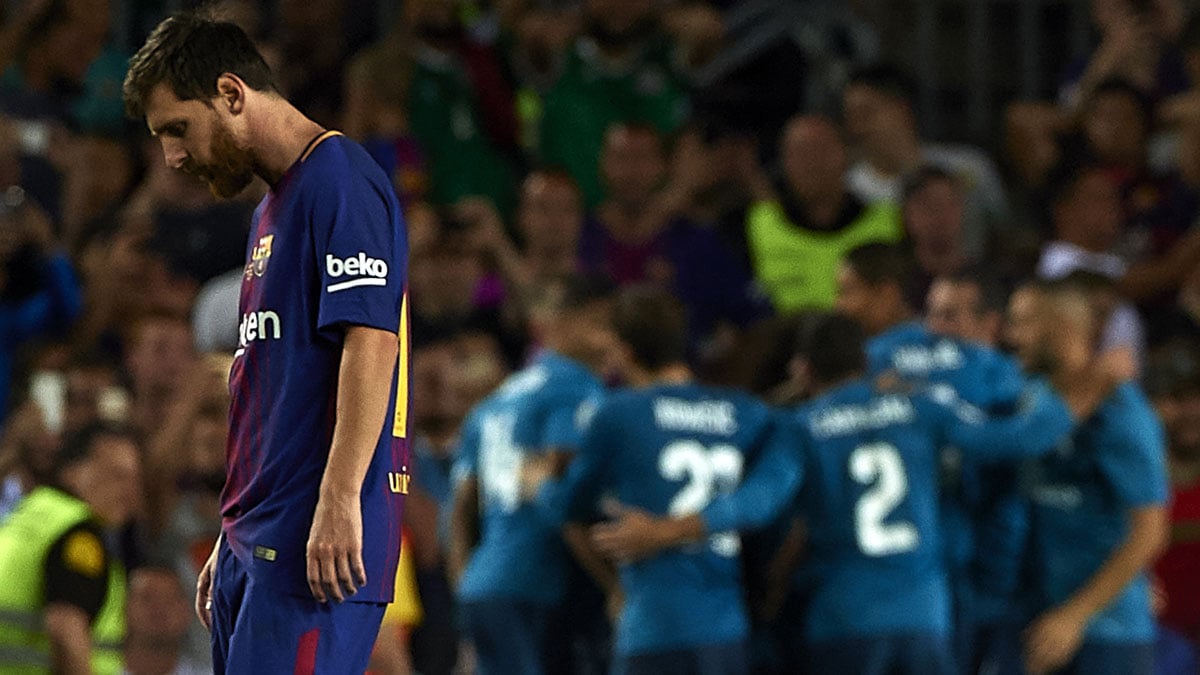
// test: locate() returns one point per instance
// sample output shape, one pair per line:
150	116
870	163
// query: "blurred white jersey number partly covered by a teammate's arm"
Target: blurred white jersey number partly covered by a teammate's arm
709	471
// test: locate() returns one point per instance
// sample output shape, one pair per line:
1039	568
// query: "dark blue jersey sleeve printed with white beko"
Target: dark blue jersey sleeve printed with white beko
361	255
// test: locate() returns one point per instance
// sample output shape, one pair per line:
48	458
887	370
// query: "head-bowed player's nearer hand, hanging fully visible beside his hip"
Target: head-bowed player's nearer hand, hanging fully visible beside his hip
335	548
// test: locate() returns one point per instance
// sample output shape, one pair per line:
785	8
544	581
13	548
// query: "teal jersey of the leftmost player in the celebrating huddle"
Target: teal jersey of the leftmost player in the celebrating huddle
520	553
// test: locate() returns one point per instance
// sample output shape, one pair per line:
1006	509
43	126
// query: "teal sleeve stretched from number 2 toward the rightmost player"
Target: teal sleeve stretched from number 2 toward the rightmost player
1041	423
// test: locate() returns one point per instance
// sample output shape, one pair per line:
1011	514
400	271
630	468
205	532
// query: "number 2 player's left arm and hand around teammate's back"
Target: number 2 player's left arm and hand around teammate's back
760	498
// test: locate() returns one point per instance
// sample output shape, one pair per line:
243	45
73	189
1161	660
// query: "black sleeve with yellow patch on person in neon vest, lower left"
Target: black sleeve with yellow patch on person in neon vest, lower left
77	571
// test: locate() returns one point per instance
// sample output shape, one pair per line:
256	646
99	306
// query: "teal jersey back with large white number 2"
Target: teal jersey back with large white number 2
872	503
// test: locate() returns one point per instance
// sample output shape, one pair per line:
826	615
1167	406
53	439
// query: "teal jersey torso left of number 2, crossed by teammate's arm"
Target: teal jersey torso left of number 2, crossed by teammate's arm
676	447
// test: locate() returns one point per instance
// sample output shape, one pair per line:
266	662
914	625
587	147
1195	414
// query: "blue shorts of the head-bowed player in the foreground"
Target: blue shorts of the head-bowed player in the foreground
261	630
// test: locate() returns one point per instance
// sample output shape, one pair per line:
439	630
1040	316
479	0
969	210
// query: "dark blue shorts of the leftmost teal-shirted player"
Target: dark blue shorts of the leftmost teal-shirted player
509	636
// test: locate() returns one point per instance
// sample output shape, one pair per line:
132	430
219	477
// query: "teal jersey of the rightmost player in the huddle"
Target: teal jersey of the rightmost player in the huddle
1082	499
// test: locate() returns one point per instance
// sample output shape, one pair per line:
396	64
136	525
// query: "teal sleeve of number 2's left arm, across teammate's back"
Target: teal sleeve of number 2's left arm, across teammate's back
767	489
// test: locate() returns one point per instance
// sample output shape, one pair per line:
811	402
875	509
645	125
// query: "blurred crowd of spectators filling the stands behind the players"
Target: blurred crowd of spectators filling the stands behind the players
530	139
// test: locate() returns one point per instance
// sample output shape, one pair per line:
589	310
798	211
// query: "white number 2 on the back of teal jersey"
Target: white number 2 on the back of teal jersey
880	467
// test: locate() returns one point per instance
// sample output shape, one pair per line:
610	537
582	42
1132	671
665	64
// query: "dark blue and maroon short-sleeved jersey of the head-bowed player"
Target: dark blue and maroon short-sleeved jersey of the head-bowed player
328	252
